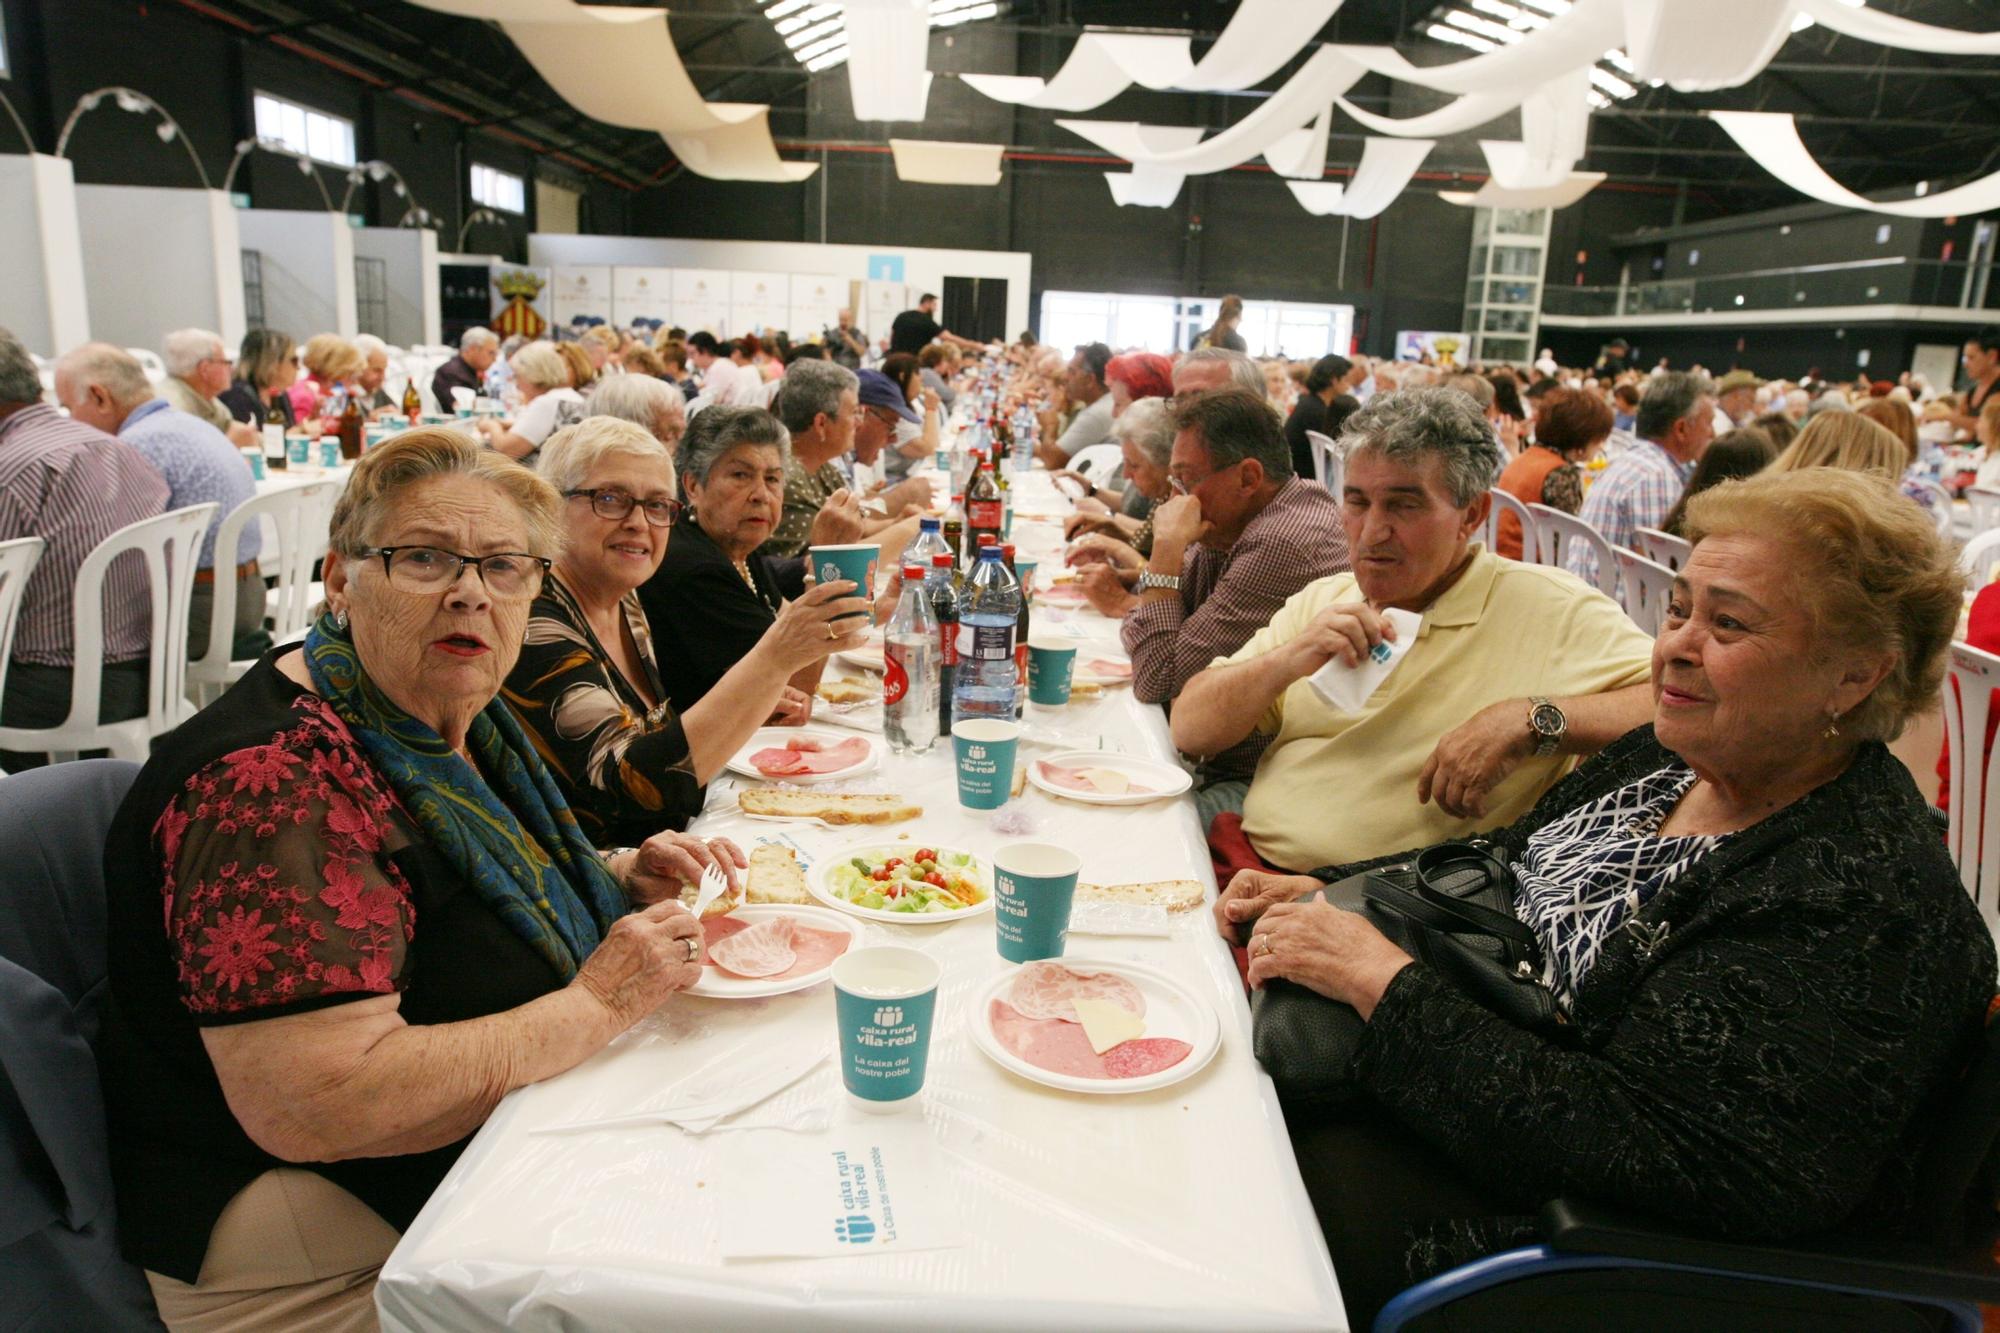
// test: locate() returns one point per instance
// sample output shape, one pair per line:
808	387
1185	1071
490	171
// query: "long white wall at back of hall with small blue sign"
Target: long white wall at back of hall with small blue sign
923	269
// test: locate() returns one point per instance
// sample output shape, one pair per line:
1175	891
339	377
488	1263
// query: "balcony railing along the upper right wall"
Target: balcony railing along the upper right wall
1857	283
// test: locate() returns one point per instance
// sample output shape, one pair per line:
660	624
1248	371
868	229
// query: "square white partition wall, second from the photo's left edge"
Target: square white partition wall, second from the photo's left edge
161	259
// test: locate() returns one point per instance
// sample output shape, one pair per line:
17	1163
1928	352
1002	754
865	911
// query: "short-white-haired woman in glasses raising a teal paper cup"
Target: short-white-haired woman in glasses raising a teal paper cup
587	686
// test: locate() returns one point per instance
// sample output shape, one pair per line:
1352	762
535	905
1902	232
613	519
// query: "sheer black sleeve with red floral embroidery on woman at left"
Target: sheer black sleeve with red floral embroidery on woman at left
279	882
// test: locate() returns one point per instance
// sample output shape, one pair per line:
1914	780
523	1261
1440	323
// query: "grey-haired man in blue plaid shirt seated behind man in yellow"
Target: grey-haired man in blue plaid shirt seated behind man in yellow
1641	489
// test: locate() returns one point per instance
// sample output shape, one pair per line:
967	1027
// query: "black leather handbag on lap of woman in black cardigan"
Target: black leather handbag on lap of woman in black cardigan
1451	910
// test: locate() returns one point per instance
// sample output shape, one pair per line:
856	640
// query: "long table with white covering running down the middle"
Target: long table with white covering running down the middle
1169	1210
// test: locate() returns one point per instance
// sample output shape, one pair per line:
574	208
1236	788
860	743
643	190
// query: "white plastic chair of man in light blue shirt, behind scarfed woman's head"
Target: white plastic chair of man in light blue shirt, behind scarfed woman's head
301	517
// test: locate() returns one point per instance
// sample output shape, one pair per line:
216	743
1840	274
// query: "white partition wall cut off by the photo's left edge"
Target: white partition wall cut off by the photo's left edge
43	295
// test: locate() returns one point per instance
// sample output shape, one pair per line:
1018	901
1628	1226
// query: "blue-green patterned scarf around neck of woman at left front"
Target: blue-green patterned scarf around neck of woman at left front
519	848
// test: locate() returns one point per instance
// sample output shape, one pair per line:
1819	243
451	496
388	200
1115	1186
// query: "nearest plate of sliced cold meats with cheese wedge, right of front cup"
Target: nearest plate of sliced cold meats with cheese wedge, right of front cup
1091	1026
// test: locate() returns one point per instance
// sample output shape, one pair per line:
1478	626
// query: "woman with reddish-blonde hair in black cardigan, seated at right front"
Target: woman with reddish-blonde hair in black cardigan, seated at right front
1767	960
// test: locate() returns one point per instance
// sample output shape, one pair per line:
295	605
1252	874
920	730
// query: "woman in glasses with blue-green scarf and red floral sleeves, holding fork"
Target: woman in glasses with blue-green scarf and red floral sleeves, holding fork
349	912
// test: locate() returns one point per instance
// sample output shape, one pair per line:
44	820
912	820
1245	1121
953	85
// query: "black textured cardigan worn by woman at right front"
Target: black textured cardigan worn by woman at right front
1755	1052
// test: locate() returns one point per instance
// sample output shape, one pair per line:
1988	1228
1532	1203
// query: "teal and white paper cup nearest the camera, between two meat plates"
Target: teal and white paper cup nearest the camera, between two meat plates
885	1004
